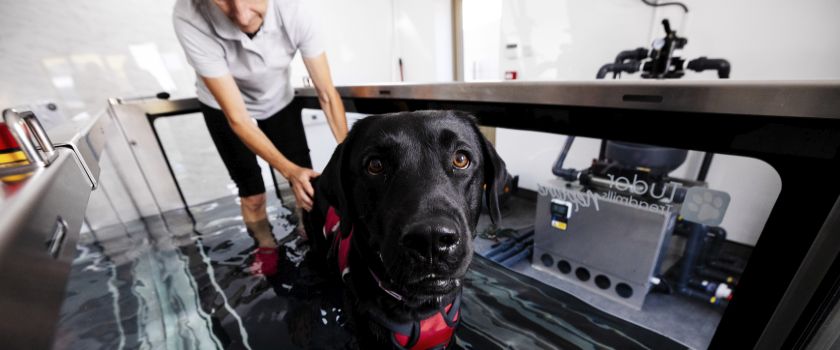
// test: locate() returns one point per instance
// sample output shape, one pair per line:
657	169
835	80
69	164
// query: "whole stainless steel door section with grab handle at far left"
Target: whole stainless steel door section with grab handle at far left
40	219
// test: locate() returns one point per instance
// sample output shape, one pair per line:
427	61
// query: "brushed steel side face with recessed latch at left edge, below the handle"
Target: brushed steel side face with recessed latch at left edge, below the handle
32	279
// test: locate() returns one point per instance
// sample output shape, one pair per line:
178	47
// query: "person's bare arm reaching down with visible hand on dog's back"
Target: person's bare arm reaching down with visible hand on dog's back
226	92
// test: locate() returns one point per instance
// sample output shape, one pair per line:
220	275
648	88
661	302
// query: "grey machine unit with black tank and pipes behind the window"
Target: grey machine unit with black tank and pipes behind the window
608	228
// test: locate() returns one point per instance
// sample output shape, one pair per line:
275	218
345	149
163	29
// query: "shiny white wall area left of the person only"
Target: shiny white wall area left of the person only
80	53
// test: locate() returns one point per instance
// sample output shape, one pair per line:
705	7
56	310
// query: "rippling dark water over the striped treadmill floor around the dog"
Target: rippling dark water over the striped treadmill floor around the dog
164	283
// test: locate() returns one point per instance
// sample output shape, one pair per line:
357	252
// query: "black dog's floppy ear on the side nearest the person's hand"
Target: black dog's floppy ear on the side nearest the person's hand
334	182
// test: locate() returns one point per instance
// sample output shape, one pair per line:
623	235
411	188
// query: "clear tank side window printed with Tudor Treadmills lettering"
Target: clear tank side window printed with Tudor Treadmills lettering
634	234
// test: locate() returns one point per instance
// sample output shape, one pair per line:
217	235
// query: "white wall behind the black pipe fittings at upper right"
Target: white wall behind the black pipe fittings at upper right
571	39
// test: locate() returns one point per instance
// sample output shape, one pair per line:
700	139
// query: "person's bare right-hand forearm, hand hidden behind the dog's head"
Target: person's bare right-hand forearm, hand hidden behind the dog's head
319	72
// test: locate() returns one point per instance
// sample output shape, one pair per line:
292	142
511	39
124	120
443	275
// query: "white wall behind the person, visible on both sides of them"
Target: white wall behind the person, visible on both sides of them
80	53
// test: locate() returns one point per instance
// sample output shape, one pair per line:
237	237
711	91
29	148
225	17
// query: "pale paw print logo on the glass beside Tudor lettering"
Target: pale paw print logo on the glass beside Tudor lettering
704	206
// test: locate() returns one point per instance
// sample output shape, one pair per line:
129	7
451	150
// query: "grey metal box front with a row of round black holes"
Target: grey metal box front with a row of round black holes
605	236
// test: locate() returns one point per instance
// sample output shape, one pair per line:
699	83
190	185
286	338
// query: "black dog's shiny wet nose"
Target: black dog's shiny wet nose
430	239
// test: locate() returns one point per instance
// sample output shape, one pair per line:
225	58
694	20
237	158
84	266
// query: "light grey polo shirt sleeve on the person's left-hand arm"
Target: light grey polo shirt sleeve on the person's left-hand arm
204	53
